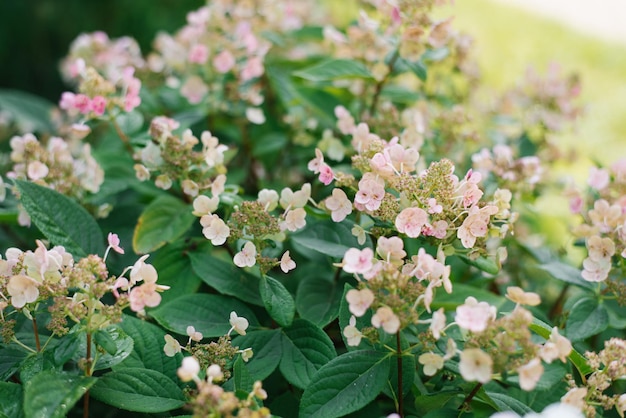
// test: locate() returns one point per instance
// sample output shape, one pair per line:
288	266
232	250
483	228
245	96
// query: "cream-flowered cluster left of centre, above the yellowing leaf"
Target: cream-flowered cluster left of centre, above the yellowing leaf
169	158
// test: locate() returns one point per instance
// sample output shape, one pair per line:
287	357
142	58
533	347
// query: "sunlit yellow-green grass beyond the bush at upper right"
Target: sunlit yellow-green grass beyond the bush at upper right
509	40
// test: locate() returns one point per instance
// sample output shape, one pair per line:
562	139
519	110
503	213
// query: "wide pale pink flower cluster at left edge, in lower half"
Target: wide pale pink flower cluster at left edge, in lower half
73	290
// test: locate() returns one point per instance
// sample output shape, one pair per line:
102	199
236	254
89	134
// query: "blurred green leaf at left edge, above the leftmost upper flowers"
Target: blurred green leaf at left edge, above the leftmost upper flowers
32	113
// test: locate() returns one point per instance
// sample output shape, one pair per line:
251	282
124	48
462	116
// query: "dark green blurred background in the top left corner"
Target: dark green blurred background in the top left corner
36	34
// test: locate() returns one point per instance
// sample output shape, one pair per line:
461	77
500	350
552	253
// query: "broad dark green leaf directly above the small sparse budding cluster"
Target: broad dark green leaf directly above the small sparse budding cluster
209	314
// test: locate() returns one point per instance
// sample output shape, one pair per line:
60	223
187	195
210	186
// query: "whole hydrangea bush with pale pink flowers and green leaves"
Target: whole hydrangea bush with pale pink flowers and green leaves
337	223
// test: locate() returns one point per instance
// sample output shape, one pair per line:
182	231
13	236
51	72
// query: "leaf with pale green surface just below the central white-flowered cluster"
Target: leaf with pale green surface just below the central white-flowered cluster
329	238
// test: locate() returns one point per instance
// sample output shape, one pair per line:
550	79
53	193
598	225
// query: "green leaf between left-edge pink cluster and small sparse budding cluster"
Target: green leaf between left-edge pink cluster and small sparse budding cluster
148	343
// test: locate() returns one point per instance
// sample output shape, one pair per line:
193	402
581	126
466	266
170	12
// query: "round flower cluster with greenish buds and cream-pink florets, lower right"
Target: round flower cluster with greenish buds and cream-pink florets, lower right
496	345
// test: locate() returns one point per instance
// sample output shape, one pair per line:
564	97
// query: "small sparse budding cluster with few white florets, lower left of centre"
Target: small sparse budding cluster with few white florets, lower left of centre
218	352
